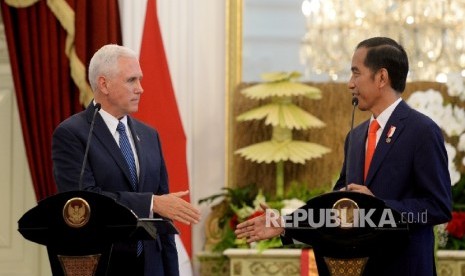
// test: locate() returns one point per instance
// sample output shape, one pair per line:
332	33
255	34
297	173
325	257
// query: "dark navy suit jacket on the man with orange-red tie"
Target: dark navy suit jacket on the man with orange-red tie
410	173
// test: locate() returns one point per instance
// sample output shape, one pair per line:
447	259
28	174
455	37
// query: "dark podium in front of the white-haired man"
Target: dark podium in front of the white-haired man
80	227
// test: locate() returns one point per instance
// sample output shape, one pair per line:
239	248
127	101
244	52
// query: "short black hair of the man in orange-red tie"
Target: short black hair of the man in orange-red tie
384	52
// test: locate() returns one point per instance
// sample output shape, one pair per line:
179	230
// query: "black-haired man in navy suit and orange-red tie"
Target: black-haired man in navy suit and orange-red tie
409	166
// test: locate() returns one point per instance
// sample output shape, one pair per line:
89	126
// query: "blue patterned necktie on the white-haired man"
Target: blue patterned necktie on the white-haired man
126	150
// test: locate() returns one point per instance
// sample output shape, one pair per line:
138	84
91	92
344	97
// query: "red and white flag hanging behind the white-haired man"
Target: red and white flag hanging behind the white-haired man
159	109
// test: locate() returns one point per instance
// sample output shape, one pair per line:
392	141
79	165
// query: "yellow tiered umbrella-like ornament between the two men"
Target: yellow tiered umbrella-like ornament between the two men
284	116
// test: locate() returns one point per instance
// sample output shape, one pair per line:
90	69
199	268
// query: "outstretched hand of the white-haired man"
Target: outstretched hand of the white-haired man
172	206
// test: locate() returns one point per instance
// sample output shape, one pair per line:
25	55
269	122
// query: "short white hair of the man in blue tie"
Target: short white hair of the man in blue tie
105	61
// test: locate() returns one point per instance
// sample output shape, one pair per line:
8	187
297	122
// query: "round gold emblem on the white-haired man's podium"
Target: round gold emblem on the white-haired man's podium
76	212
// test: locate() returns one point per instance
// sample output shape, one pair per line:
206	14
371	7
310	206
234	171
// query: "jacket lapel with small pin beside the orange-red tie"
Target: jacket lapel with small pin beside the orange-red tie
384	144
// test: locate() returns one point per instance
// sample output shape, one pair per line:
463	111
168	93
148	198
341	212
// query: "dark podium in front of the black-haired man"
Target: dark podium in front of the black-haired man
358	226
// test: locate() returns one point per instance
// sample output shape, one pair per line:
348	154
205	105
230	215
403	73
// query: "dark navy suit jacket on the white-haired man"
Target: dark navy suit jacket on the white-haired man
107	173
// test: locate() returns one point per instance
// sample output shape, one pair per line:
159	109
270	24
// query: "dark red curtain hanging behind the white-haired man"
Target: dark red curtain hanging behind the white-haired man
45	90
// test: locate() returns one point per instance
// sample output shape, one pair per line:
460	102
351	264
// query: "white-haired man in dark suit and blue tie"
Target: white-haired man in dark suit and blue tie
139	181
